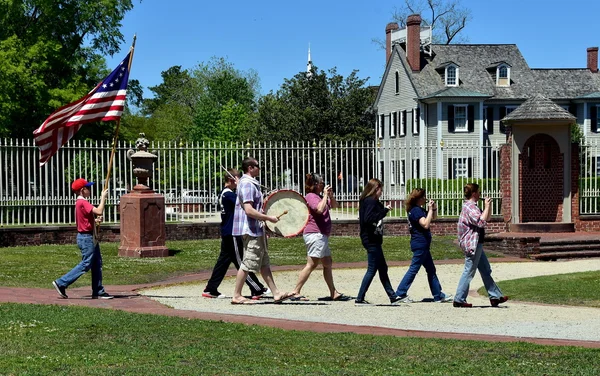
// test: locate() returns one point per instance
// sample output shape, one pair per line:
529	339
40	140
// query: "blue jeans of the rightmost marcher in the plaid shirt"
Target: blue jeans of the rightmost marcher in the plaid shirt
479	262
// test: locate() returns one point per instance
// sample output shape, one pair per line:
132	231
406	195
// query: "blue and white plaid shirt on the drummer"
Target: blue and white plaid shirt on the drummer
248	191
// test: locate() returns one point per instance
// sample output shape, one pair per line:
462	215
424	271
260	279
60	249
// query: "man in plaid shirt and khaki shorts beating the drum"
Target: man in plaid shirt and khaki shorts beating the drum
247	223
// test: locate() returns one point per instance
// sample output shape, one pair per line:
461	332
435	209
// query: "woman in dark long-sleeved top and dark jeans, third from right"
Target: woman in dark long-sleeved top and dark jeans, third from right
370	214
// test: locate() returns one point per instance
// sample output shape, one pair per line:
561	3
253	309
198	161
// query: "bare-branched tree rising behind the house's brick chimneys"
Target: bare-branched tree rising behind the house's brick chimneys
447	18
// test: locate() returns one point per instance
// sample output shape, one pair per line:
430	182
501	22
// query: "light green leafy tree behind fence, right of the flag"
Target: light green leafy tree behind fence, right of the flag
212	101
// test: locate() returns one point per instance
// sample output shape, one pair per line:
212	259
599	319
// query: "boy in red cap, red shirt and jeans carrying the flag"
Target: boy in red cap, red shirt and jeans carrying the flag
86	217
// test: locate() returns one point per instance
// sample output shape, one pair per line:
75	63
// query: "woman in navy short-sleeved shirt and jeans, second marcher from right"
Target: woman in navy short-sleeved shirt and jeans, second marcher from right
419	222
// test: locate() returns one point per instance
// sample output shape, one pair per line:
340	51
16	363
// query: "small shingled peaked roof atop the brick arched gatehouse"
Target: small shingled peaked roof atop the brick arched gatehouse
539	107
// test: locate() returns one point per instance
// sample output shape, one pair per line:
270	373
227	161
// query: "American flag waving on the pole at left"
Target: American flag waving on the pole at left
104	103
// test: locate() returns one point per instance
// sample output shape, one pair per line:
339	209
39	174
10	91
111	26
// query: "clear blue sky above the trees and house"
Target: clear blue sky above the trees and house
272	37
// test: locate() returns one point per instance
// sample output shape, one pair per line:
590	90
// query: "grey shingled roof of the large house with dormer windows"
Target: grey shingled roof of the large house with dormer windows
476	60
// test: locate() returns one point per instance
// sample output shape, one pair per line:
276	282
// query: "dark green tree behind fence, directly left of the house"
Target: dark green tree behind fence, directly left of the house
318	106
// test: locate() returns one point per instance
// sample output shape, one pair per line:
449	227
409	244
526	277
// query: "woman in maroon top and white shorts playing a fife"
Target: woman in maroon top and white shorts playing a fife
319	199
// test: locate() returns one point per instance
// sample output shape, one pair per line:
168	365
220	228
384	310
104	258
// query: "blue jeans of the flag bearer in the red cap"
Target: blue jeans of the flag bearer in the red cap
90	259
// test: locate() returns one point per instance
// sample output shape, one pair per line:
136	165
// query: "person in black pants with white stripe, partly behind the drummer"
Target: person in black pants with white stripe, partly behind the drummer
232	247
